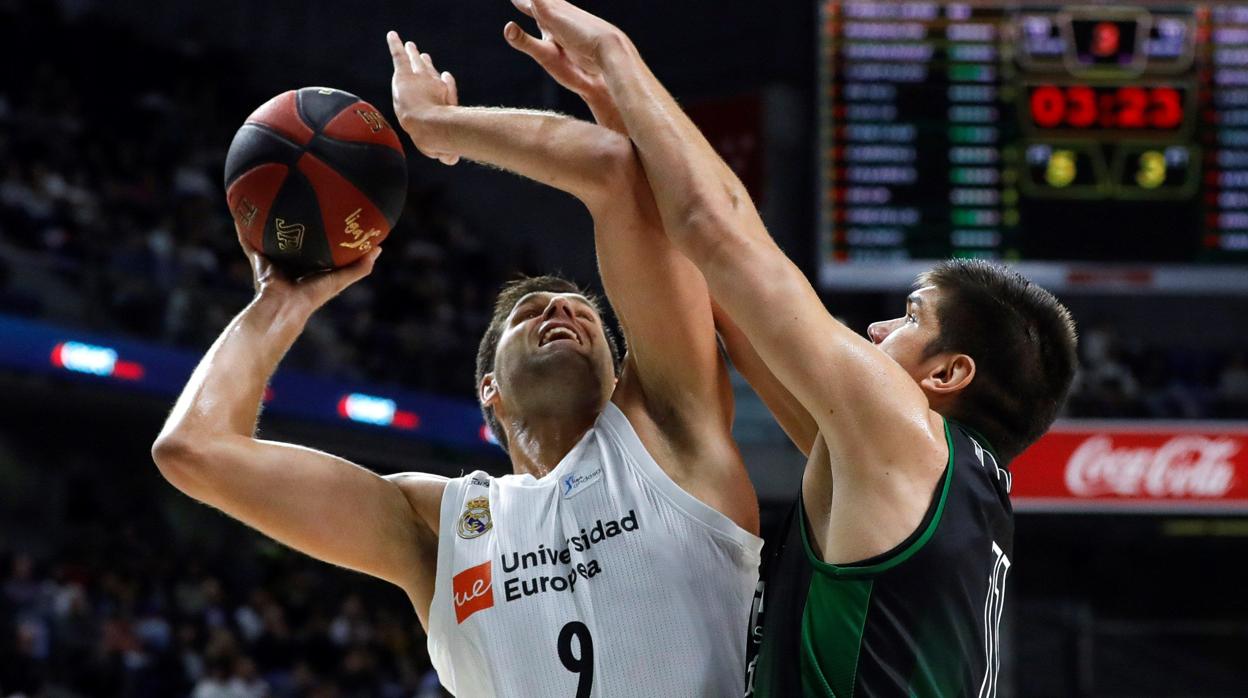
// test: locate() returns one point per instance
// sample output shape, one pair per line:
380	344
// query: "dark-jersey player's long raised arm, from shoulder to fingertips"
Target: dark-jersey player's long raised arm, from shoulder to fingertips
865	405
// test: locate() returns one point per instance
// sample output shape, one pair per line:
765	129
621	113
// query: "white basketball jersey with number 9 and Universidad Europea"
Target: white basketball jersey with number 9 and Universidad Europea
603	579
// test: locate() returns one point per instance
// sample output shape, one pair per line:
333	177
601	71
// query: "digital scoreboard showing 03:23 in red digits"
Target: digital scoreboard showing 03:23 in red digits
1060	138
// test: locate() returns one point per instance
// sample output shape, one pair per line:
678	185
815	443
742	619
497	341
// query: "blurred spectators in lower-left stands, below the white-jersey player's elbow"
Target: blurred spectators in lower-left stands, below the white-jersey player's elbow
164	626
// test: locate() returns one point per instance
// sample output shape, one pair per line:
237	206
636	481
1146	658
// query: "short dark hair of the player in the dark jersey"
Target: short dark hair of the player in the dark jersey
1024	345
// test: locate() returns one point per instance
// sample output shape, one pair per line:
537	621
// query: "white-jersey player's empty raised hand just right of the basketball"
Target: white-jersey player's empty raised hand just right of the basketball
417	91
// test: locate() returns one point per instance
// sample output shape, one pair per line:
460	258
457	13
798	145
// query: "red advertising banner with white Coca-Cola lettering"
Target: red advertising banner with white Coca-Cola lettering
1125	466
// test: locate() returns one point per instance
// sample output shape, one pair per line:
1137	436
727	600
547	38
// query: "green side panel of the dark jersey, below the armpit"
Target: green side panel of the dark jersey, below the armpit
832	635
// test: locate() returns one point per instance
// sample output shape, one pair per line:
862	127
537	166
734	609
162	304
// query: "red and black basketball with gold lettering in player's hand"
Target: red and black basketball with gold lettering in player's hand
315	179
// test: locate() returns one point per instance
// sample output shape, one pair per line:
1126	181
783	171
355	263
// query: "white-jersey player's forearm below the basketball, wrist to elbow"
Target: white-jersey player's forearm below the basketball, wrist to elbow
225	391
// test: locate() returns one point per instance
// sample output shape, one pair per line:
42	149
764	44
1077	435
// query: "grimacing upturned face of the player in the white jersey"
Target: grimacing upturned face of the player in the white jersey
555	349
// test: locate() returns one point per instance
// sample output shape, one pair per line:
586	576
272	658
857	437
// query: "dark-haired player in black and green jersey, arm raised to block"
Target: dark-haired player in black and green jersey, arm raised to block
892	575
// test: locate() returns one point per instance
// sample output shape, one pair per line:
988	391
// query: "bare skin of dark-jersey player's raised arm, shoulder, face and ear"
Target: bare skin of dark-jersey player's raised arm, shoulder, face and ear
880	438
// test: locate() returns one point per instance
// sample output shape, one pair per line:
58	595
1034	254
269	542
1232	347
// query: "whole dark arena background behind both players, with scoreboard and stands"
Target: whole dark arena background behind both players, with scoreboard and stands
1100	148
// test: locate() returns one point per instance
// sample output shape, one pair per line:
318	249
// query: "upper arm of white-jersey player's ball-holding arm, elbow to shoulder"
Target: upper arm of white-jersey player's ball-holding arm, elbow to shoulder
315	503
